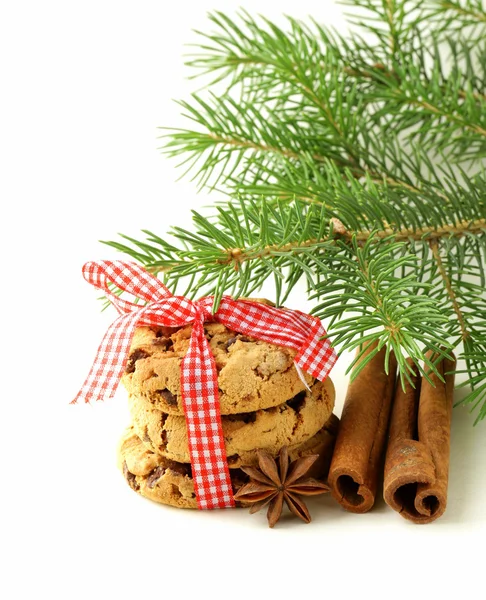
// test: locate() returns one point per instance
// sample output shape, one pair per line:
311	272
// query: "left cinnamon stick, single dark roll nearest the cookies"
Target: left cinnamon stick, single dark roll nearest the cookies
360	444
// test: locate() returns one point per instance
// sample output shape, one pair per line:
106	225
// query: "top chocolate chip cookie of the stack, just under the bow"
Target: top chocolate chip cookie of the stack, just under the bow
252	374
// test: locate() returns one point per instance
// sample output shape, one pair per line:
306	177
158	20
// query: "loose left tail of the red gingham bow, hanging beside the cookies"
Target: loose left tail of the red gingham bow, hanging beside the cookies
109	364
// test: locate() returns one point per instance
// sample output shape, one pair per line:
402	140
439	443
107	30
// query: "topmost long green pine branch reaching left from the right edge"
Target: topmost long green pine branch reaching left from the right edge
407	81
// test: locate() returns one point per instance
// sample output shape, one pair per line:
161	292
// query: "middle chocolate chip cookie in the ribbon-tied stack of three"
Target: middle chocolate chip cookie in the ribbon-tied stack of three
287	424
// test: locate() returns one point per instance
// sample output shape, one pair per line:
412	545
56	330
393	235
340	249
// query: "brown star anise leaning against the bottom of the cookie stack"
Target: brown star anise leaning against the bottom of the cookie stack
271	484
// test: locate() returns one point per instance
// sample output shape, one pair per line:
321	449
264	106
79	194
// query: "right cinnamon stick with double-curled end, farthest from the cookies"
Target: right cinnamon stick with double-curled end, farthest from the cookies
417	459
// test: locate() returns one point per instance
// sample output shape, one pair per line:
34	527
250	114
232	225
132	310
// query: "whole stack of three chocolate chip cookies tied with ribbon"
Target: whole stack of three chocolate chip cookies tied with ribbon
264	405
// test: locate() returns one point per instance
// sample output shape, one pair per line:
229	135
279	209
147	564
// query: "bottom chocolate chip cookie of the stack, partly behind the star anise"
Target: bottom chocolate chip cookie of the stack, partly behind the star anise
169	482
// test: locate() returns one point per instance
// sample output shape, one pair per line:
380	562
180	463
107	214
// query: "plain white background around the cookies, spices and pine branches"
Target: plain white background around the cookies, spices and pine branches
84	86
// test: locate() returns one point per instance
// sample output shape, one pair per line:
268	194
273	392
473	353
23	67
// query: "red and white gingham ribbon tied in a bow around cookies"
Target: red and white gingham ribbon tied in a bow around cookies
199	380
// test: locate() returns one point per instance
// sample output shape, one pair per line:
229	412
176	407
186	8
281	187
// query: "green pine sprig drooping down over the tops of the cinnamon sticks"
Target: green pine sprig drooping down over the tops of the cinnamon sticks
396	310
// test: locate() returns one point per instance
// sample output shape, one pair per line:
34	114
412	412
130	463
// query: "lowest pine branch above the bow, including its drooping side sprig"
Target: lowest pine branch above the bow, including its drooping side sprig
249	243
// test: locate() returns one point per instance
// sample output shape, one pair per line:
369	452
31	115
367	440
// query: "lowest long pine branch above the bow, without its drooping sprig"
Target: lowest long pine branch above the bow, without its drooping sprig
224	247
